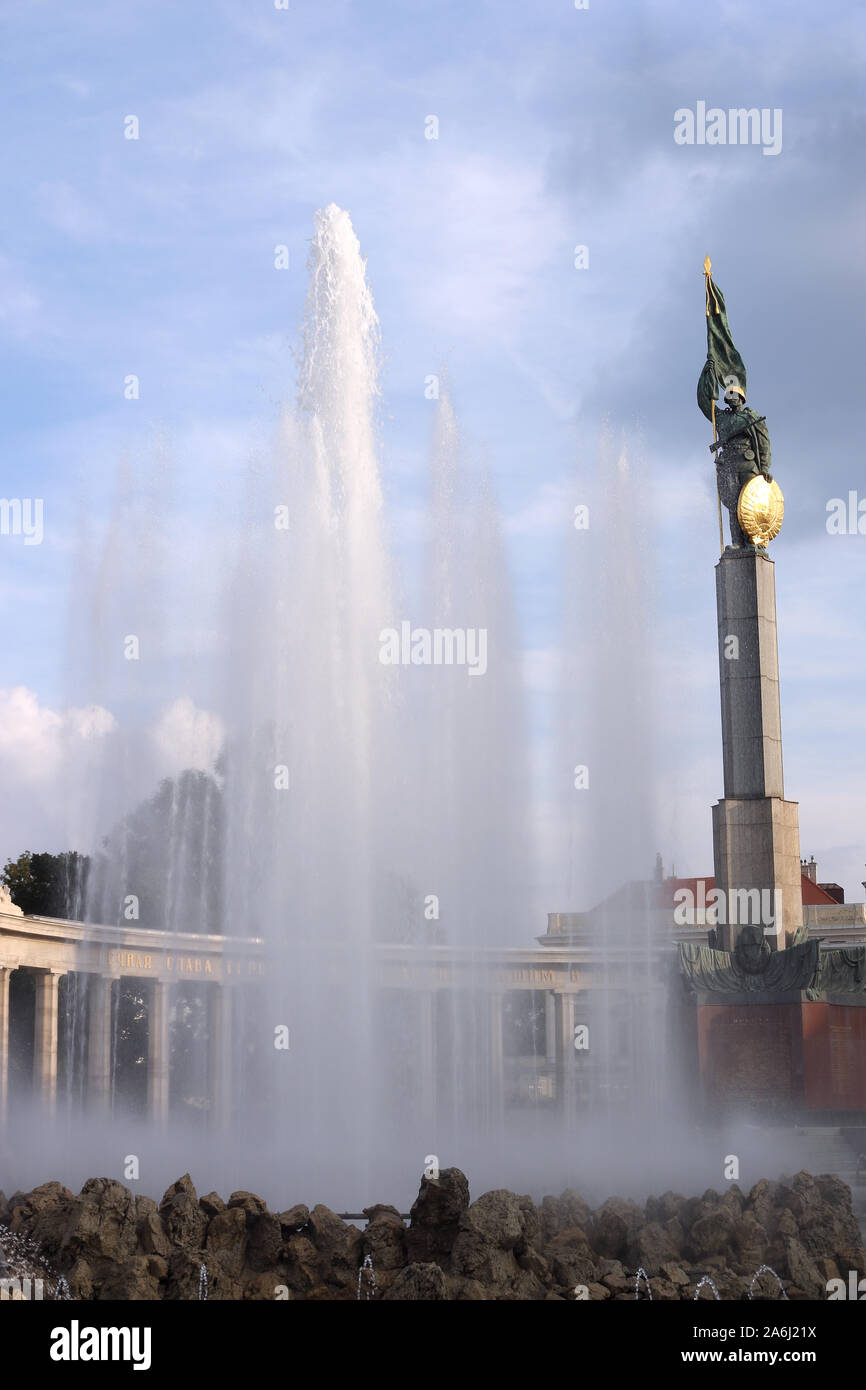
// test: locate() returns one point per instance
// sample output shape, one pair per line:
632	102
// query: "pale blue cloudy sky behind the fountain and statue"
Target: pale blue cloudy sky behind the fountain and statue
554	130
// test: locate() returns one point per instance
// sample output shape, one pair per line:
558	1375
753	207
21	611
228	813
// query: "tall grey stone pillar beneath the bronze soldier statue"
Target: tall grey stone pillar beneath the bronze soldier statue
755	831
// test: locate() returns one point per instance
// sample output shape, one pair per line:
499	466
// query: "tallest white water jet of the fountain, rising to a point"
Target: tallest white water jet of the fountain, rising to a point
309	787
